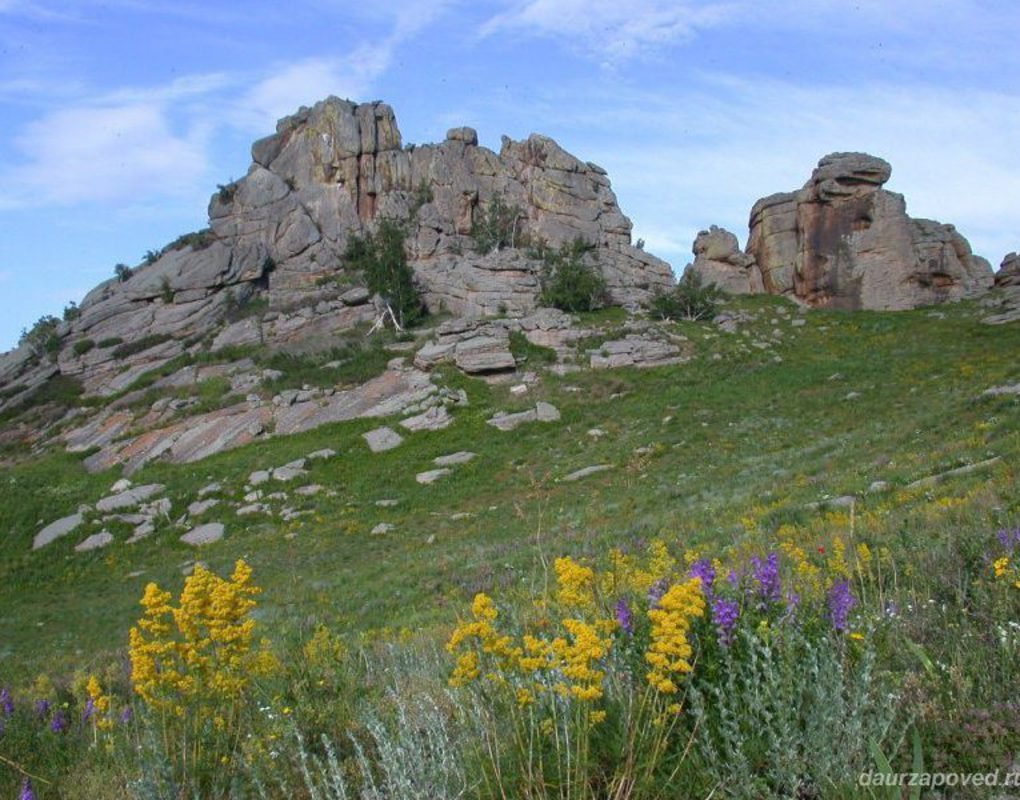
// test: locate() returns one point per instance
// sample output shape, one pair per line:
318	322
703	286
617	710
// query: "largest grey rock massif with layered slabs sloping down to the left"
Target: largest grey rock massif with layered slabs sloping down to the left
279	236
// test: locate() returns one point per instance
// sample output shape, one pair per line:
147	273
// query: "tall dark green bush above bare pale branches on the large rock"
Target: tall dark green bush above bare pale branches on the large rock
381	257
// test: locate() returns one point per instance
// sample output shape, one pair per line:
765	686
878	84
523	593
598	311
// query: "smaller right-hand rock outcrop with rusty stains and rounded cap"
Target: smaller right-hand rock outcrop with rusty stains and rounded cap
844	242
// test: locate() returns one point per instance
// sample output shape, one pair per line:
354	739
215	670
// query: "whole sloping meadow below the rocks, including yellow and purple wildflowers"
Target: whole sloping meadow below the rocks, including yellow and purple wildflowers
761	597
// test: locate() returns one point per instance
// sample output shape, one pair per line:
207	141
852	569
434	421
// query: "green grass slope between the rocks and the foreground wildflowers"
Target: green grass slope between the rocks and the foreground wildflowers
738	435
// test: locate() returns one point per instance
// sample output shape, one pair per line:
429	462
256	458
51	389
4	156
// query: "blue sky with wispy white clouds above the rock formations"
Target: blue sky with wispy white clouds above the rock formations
118	119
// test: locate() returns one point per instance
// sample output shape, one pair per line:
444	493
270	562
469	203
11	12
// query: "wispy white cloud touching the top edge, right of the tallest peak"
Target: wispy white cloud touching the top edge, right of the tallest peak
614	30
